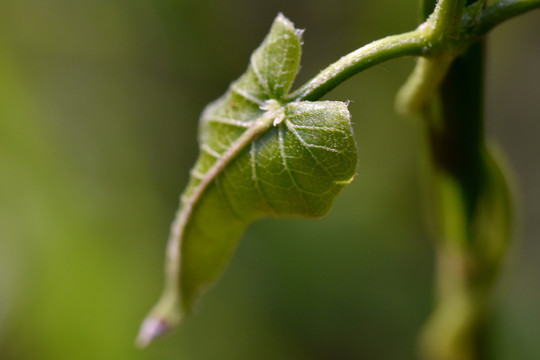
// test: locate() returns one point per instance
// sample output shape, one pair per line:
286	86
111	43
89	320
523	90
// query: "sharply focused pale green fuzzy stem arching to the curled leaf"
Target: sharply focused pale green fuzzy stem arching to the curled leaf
442	37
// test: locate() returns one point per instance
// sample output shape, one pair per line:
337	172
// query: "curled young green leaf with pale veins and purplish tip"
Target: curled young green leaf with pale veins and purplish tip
259	157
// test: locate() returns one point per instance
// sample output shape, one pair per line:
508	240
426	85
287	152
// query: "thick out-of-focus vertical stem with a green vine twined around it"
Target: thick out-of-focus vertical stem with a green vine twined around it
470	201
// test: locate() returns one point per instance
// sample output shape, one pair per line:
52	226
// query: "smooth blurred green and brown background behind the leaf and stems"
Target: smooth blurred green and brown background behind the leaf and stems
99	102
